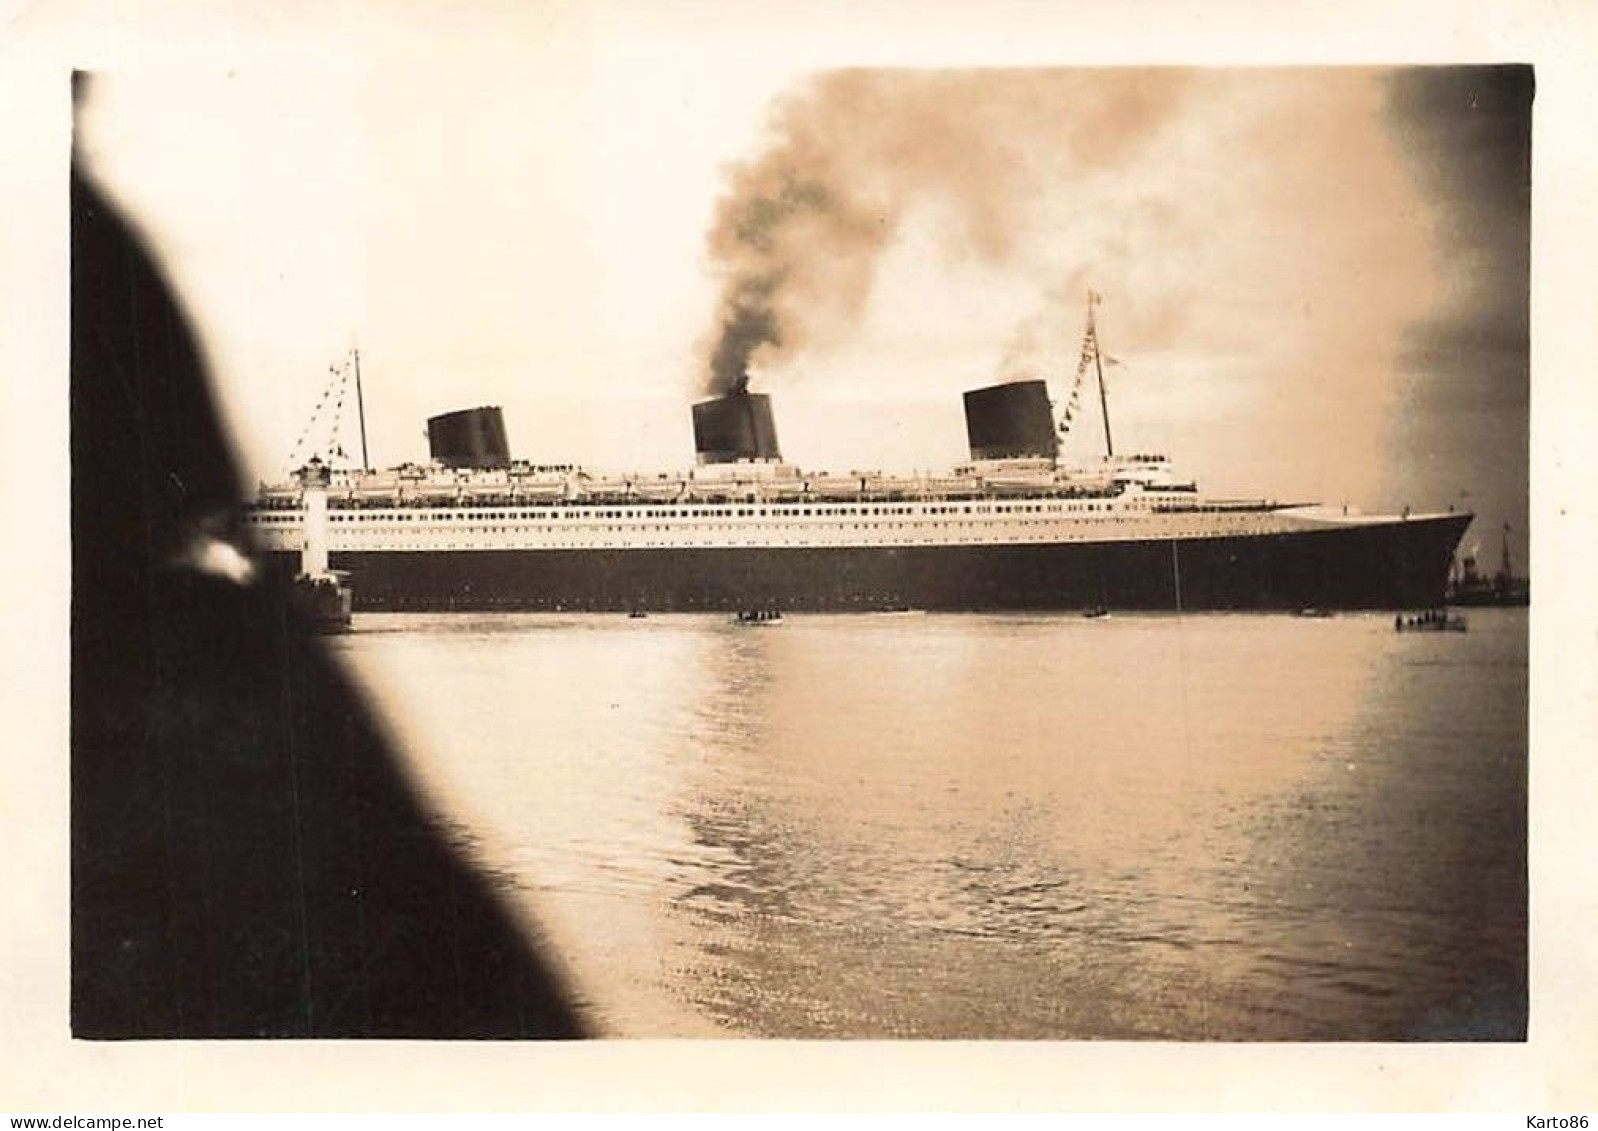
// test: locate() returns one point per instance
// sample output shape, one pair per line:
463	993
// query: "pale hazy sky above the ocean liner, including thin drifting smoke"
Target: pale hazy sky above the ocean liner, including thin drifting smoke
1316	279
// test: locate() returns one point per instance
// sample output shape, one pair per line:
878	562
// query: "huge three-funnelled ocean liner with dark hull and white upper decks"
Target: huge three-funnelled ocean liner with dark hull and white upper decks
1014	528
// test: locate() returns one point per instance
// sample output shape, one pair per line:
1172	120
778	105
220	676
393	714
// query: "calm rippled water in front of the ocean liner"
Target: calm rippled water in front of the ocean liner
1236	828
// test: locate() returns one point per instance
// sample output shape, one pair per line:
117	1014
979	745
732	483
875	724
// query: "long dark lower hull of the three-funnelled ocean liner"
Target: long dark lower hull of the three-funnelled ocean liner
1389	566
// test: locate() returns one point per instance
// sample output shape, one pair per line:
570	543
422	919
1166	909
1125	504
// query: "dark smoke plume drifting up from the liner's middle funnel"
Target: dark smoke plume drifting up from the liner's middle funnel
798	237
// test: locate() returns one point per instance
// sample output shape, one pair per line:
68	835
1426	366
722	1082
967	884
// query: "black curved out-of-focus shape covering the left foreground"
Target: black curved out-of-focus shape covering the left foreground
247	855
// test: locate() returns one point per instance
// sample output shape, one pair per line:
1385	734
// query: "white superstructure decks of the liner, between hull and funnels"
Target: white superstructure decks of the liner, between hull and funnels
769	506
